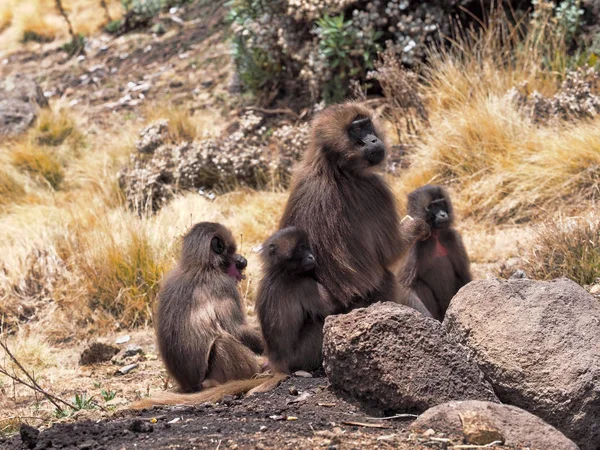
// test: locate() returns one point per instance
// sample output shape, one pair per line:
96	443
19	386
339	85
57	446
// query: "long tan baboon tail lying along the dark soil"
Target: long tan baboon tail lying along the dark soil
214	394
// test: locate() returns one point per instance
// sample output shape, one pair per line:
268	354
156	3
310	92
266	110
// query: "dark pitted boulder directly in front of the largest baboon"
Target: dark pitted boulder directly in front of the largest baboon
392	357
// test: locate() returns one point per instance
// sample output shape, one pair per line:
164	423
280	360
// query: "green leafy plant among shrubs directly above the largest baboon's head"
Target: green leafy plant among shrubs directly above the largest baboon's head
347	52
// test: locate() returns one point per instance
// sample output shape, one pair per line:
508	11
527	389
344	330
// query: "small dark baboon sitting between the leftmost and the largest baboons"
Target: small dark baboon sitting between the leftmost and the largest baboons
291	305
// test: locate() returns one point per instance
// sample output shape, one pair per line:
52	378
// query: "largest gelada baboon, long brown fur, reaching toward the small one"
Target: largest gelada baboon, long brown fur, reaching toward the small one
348	211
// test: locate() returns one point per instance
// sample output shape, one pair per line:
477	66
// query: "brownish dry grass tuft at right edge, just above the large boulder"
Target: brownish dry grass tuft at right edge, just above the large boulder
567	247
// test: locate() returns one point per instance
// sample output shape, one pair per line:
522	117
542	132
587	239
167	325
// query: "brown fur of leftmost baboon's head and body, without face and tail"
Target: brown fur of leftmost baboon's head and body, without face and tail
200	325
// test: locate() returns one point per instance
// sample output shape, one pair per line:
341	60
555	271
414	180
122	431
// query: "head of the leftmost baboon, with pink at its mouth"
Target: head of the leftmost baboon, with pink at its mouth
210	245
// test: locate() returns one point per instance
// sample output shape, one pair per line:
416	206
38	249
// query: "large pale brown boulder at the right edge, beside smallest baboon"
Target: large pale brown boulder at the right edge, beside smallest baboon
538	343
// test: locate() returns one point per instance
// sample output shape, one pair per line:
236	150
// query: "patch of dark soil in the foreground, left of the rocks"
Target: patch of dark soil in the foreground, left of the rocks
270	420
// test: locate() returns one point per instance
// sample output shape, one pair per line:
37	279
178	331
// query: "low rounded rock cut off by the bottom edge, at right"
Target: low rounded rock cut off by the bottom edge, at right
480	423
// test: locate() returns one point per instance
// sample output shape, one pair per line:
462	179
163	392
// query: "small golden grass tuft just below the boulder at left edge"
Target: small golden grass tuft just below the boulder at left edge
38	162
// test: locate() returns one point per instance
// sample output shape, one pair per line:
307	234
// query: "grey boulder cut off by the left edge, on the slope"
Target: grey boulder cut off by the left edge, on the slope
20	100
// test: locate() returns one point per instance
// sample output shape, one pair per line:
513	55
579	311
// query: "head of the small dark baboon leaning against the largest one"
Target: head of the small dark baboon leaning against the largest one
290	251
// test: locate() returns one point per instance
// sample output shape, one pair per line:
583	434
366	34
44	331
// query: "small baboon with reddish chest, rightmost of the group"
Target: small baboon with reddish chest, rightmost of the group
437	267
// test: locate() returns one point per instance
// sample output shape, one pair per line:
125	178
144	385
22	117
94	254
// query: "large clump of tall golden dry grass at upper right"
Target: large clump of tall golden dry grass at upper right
502	165
